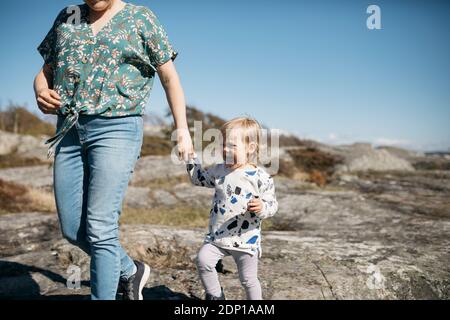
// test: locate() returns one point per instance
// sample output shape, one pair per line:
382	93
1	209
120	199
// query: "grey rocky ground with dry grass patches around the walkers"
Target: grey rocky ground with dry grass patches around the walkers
378	230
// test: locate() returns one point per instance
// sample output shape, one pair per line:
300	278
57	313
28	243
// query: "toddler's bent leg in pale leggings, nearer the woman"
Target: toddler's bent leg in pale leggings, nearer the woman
207	258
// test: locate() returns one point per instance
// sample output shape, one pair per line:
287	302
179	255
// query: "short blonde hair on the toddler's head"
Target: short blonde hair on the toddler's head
249	130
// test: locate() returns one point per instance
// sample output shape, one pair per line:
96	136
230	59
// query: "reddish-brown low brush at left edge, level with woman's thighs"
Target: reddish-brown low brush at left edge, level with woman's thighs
16	198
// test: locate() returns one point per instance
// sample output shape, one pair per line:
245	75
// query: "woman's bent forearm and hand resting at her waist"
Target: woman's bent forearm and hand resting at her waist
47	99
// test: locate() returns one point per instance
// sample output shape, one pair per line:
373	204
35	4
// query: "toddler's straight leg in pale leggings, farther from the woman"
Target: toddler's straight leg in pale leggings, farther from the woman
248	274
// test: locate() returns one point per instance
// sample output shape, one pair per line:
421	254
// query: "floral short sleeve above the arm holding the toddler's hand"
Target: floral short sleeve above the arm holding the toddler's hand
156	42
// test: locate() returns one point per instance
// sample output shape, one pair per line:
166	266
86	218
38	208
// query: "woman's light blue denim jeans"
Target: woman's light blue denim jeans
92	167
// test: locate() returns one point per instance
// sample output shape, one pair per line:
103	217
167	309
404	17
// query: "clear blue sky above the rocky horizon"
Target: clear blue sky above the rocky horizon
308	67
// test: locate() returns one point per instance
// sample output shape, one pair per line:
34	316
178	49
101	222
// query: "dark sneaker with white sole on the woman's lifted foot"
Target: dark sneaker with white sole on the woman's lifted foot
132	287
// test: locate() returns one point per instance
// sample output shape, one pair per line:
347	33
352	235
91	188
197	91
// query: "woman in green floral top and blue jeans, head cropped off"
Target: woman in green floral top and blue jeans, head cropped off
101	58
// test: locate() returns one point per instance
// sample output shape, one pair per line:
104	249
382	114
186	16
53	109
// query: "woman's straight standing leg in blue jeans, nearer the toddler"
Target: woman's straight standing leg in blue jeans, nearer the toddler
112	148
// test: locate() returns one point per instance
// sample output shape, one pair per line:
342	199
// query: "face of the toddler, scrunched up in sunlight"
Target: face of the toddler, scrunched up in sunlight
235	149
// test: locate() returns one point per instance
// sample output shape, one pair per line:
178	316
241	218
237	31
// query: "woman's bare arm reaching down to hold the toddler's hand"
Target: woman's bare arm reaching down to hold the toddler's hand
175	97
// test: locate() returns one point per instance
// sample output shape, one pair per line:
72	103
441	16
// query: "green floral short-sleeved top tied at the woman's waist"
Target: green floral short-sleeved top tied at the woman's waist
111	73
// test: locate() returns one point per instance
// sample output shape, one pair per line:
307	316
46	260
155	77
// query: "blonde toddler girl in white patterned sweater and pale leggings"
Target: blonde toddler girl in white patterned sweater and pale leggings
244	196
